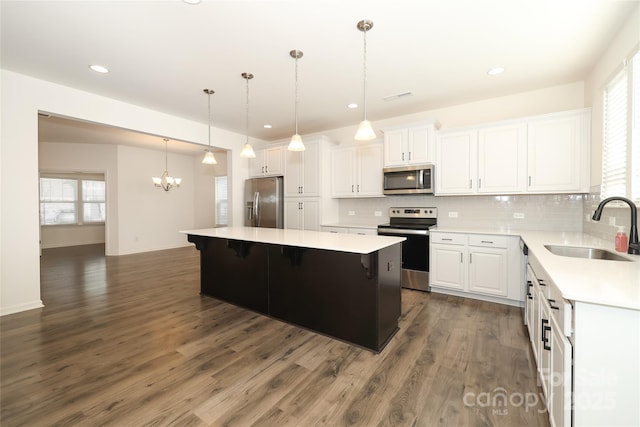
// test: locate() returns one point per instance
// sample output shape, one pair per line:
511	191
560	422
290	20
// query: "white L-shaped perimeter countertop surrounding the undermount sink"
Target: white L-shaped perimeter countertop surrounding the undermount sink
613	283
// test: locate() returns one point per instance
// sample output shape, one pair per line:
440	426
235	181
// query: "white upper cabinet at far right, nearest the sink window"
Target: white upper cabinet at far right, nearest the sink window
558	152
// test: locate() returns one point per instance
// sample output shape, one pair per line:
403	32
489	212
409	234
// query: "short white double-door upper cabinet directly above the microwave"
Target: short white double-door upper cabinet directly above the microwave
409	145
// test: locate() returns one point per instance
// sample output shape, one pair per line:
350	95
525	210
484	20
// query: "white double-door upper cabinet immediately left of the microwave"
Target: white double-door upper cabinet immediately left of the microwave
356	171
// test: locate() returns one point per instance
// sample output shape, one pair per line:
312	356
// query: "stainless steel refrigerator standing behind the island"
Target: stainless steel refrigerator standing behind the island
264	205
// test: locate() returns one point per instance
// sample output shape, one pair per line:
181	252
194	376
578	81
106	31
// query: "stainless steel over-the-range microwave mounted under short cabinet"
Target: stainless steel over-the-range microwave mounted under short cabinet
416	179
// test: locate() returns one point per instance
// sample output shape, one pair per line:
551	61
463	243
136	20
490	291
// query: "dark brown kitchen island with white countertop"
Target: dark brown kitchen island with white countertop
343	286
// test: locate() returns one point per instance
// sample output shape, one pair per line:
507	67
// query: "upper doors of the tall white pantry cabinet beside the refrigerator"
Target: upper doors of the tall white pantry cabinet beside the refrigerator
302	171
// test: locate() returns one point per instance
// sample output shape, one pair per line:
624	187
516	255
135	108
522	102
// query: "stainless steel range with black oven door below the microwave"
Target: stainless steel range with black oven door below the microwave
414	225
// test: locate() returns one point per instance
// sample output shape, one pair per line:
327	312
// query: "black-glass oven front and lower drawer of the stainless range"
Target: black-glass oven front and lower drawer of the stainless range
415	255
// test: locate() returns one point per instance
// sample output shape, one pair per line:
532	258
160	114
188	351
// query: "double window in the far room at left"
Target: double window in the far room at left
69	199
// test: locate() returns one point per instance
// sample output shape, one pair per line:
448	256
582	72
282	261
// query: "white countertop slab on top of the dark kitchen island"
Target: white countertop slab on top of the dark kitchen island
354	243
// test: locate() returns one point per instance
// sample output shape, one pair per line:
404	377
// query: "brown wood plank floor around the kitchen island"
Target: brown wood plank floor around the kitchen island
128	341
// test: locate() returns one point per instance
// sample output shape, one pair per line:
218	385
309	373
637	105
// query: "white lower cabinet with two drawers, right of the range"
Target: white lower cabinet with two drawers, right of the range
476	265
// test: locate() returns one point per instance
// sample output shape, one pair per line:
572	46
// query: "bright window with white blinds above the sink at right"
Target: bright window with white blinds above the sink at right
621	134
